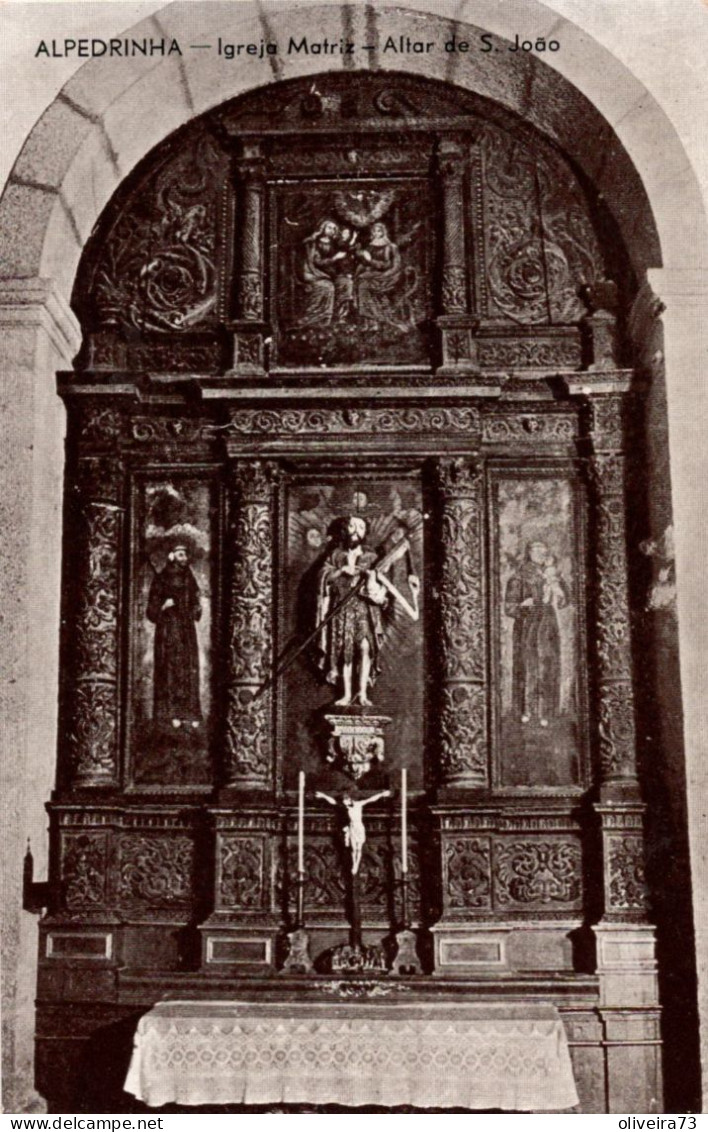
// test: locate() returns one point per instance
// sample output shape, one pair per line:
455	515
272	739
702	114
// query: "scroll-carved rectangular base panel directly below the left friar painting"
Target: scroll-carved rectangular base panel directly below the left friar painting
156	871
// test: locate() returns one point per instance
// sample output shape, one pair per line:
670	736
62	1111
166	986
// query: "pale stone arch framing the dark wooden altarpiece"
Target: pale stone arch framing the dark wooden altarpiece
97	131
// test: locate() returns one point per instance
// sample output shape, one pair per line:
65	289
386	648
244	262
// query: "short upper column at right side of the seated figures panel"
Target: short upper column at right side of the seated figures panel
455	322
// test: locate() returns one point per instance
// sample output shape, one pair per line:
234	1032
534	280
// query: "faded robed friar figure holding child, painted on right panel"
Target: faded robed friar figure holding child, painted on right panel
534	594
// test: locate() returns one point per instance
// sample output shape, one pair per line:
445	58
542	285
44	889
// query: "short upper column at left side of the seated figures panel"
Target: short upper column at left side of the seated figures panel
249	338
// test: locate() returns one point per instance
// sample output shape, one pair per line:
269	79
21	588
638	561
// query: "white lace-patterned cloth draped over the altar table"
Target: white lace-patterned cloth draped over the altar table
426	1056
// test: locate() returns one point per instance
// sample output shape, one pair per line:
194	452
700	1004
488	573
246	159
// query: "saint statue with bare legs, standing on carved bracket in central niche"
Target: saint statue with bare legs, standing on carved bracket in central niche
354	591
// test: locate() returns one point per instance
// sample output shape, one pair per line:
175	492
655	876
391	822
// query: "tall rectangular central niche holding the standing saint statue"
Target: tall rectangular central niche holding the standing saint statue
382	513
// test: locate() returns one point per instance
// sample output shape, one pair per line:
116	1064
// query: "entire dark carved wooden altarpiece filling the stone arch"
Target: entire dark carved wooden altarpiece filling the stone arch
385	299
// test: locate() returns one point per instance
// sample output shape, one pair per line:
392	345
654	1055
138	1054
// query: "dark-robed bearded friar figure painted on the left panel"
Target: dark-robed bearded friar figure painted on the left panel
175	606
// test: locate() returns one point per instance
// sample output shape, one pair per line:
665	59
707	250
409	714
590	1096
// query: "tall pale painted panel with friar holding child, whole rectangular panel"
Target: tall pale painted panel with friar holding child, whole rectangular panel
539	633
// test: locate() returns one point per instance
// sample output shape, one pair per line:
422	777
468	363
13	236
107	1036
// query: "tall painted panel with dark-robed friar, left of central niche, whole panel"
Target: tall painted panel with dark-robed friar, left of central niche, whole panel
174	621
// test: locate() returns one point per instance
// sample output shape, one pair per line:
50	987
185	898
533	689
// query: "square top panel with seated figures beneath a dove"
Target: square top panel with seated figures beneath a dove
353	286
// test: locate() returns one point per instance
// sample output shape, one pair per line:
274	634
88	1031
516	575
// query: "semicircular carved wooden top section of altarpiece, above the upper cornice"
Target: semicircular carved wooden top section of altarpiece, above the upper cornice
345	216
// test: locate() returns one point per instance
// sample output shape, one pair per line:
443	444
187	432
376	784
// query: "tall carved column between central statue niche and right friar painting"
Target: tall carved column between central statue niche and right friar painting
464	718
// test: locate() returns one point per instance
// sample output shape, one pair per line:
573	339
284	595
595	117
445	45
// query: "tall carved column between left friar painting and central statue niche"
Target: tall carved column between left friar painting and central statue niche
249	735
